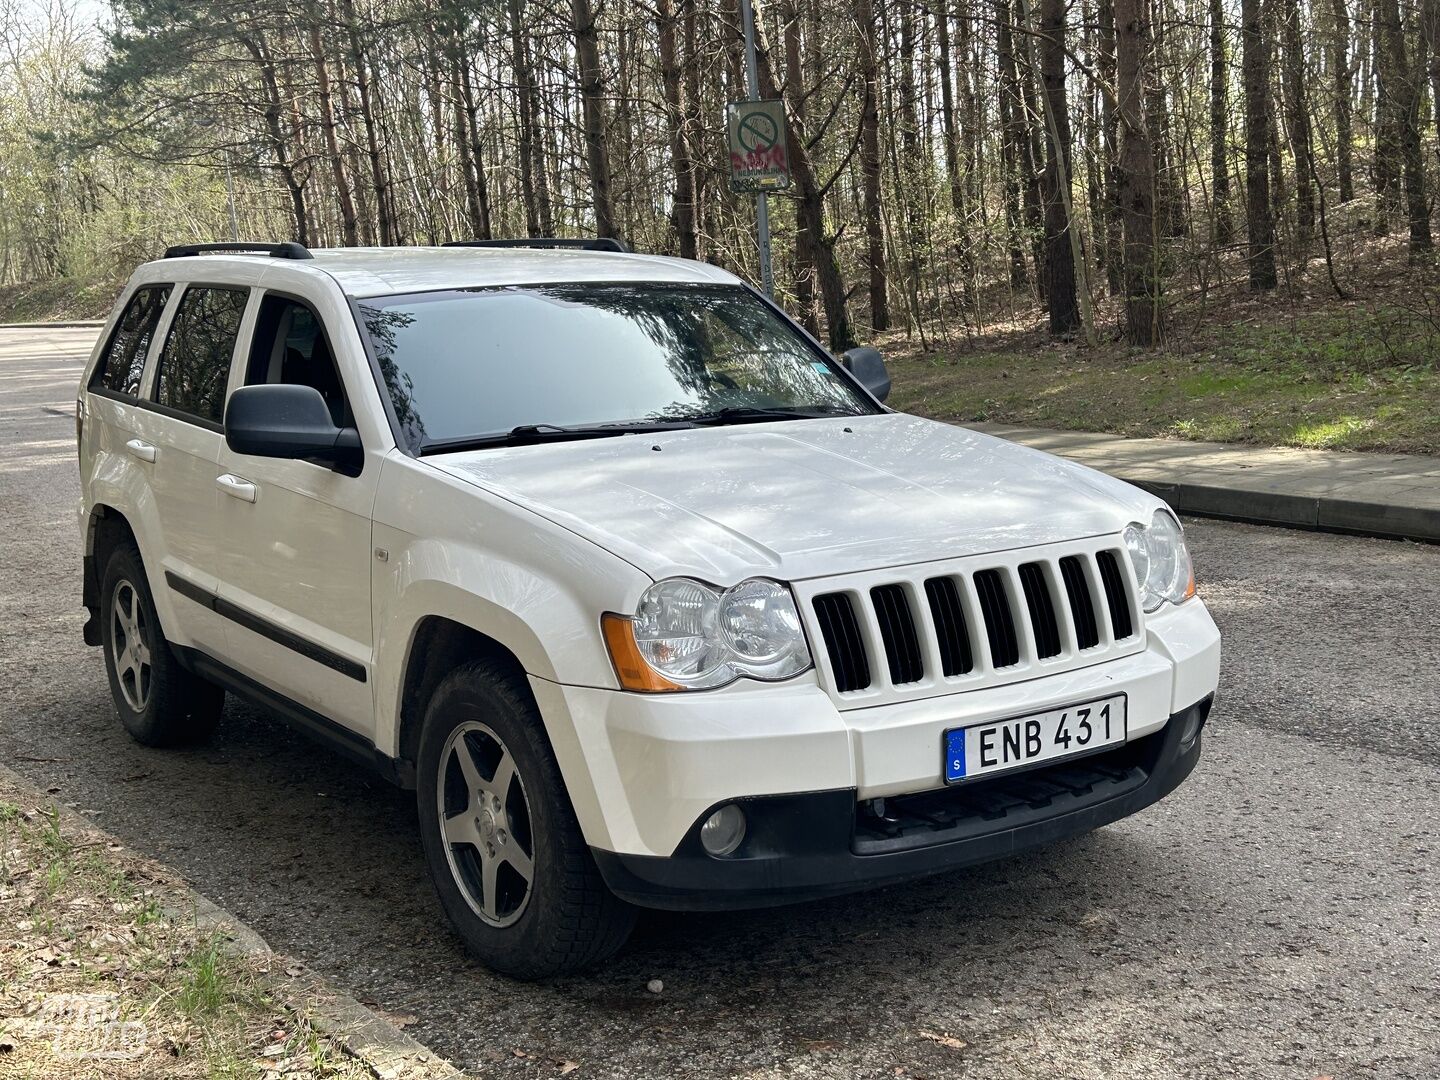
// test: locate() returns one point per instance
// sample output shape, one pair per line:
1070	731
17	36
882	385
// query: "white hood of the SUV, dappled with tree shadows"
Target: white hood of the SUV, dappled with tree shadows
804	499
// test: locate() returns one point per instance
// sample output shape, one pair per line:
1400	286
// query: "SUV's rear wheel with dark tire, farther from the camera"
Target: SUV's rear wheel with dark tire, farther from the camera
158	701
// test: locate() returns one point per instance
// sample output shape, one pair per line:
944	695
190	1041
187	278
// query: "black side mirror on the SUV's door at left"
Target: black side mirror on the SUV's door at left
286	421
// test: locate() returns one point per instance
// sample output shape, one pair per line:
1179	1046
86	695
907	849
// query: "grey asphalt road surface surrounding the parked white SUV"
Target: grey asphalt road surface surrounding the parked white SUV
1278	917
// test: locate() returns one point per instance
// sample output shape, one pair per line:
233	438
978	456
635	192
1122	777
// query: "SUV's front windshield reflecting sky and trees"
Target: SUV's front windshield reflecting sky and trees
476	365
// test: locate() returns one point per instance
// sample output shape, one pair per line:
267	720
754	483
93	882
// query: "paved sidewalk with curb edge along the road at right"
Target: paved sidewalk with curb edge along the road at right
1374	495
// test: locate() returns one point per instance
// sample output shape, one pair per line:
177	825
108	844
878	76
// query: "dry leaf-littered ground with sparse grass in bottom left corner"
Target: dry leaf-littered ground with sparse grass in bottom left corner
103	974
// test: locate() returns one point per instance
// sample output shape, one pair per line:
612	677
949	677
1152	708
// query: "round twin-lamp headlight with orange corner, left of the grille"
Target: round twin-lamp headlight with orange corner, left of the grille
695	636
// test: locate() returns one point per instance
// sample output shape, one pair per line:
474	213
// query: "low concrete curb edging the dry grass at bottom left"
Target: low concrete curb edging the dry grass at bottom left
387	1052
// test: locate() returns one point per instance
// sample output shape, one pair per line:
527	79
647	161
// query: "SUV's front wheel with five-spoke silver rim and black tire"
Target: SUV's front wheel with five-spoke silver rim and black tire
505	849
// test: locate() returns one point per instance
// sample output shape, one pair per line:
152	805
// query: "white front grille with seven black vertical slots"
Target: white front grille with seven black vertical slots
977	626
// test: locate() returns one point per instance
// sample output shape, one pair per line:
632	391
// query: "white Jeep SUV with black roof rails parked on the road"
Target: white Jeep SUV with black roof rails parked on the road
646	594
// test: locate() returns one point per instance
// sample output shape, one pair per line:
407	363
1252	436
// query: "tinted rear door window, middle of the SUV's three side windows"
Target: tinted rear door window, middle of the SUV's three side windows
195	365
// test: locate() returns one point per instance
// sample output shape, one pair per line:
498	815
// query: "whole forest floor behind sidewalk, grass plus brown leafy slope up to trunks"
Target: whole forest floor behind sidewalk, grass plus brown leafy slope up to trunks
1301	368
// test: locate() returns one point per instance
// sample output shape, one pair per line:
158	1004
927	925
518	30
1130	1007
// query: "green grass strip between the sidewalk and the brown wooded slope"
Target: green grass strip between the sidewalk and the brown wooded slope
1350	379
